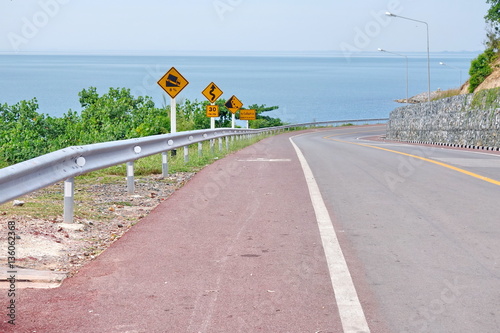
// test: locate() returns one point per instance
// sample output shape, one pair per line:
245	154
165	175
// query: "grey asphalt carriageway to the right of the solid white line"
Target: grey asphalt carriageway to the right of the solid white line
422	239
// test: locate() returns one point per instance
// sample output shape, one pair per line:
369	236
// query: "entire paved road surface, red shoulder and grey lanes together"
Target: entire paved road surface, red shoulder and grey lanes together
248	246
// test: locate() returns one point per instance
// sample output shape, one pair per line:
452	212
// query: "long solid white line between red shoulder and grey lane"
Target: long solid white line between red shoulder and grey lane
350	310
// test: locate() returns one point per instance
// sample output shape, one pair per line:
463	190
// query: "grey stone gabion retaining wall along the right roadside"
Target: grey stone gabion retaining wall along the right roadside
471	120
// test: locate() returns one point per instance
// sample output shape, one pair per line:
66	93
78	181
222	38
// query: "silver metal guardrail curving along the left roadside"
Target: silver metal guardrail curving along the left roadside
65	164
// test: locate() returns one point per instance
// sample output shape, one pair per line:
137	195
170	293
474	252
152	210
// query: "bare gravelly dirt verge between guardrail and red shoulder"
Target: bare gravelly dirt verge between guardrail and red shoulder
49	244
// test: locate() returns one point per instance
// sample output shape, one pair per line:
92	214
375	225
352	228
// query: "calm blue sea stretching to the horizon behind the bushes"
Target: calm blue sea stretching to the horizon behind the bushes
306	88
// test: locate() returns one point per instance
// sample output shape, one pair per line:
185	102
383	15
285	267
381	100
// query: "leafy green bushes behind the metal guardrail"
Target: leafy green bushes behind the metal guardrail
116	115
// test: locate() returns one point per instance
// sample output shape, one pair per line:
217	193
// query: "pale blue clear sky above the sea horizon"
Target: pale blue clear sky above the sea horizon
243	26
